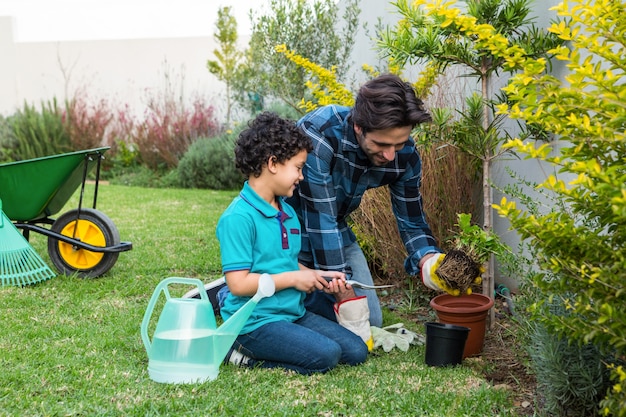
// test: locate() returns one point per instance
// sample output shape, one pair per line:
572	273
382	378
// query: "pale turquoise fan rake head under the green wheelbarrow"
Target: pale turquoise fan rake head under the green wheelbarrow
19	263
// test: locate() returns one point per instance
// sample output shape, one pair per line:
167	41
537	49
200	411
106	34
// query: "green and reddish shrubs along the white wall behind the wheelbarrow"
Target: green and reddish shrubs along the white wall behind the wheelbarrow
154	142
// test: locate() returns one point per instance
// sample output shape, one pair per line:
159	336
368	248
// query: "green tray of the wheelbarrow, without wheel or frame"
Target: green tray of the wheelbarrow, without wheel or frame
38	188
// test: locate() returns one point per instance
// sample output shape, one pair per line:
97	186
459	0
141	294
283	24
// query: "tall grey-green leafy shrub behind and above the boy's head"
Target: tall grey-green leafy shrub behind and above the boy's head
314	30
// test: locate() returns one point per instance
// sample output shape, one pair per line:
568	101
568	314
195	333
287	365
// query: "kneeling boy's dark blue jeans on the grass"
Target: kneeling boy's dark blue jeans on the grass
310	344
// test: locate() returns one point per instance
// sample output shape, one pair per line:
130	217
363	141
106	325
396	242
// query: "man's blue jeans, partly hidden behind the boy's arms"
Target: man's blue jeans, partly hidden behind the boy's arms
321	303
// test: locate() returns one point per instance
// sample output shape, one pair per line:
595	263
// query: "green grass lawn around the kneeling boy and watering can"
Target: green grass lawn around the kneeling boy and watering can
72	347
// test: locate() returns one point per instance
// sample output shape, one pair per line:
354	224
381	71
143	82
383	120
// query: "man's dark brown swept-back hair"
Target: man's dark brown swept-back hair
387	102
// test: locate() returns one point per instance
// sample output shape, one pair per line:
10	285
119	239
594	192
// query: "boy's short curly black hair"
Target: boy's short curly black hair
268	135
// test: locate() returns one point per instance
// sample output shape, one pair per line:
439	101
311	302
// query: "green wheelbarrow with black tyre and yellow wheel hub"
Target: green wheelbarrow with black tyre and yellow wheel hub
83	240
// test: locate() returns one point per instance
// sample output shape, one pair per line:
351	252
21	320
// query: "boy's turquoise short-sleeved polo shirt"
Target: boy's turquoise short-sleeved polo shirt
255	236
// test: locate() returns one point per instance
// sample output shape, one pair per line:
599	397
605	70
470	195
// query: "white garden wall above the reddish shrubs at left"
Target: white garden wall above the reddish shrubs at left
123	71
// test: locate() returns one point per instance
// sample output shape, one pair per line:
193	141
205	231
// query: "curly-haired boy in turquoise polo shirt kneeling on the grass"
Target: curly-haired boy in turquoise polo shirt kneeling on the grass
259	233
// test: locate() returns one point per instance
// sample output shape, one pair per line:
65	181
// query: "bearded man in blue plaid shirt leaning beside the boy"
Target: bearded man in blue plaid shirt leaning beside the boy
354	149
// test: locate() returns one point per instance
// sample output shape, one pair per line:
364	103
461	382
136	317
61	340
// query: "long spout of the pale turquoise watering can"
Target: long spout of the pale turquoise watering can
230	329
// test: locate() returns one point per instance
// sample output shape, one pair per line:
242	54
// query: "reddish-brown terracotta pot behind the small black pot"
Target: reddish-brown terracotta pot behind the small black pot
465	310
